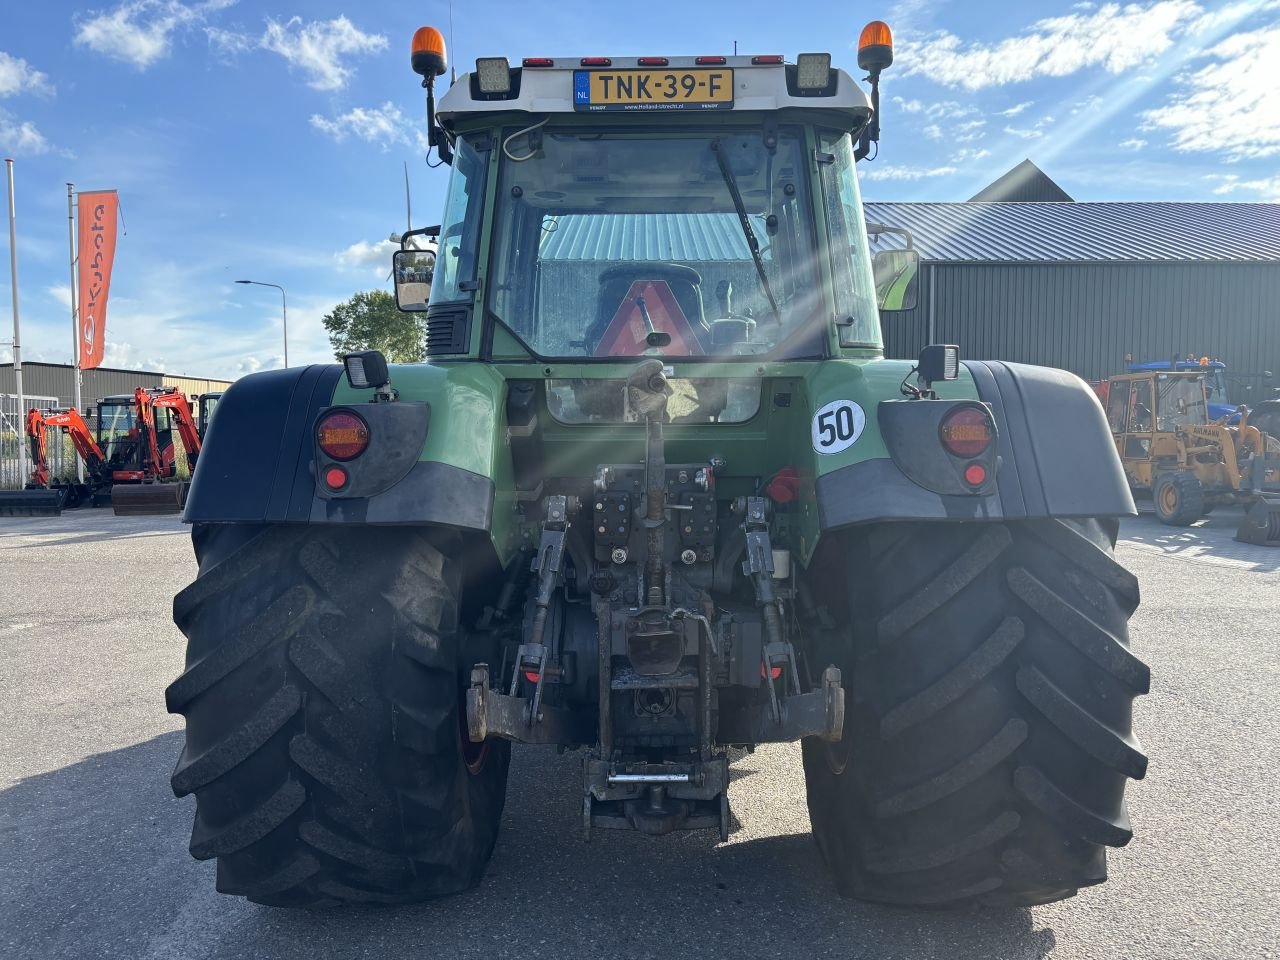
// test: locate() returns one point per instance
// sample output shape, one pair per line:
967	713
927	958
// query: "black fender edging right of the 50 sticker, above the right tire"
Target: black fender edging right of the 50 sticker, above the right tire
1055	459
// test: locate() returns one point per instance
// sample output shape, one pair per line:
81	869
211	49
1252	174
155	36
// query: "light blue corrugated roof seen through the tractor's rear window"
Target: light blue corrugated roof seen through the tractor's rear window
646	237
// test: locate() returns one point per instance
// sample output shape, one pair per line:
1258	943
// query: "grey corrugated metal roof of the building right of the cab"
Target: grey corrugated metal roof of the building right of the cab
1085	232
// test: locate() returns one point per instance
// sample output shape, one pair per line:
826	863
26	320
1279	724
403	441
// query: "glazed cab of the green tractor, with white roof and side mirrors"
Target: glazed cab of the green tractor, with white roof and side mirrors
602	211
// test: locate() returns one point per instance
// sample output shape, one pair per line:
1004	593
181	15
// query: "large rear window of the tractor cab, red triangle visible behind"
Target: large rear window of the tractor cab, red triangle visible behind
620	245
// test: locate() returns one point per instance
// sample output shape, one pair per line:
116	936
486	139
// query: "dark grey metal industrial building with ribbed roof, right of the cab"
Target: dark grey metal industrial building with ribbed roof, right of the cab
1025	276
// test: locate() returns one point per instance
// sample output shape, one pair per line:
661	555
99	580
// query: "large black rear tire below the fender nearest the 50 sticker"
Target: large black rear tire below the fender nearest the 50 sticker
988	740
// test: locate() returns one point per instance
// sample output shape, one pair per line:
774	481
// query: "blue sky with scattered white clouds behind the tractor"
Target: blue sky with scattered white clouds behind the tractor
266	140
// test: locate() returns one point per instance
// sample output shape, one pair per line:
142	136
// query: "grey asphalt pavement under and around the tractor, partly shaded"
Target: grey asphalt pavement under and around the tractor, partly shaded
94	845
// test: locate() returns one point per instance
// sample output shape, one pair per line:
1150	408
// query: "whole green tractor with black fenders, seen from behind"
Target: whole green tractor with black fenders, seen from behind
657	496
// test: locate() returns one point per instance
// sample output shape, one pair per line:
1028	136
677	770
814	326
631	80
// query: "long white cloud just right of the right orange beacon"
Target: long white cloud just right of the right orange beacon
1112	38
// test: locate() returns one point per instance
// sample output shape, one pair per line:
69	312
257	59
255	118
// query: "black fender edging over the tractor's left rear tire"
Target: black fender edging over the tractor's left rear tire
259	464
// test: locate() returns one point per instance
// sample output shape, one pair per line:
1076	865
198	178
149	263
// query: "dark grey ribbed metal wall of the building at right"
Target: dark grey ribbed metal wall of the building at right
1086	318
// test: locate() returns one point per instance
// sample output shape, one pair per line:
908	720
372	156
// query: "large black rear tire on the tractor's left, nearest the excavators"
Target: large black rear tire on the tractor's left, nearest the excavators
322	694
